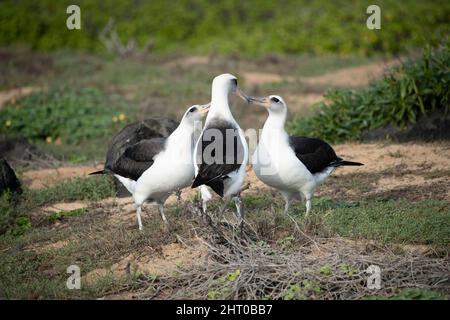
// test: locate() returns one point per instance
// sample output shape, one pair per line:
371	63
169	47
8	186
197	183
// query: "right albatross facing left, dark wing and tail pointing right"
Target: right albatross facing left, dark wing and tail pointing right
293	165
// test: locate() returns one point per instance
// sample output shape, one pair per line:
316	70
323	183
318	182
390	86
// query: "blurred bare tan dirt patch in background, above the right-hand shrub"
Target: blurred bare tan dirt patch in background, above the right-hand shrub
351	77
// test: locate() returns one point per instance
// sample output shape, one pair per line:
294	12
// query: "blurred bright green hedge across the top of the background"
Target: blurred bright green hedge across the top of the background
251	27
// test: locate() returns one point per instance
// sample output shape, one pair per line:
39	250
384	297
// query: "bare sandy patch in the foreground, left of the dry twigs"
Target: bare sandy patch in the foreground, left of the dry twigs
162	261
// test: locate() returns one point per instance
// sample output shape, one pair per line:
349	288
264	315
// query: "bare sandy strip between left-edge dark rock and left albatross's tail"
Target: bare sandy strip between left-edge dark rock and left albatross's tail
44	178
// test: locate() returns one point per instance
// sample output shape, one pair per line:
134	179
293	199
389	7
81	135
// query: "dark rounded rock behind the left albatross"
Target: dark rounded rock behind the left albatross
133	133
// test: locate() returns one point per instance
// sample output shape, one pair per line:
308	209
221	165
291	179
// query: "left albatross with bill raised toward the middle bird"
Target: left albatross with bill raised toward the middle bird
152	169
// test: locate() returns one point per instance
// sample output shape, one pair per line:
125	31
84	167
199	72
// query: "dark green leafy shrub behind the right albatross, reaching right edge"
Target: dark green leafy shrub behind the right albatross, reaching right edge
399	98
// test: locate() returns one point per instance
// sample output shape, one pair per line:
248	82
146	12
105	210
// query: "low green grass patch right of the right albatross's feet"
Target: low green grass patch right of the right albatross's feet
424	222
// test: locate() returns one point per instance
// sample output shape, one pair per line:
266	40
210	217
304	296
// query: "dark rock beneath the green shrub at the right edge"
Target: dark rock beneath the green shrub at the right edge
431	127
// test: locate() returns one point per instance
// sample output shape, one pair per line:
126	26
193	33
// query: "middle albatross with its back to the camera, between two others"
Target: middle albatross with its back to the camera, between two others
221	153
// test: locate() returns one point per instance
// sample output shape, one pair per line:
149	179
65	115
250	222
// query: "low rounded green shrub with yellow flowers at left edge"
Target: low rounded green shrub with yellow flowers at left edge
71	115
